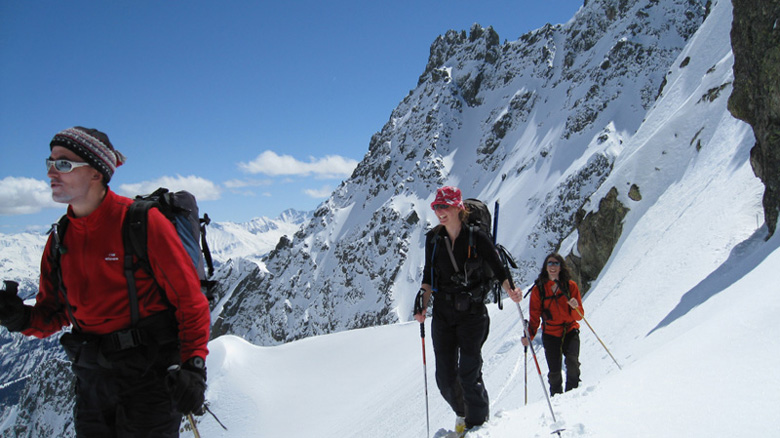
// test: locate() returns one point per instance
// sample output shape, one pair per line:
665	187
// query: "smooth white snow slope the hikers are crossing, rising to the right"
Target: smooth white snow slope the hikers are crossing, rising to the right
685	304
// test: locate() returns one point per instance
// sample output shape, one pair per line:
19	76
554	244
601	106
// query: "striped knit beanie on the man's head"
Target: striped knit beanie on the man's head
91	145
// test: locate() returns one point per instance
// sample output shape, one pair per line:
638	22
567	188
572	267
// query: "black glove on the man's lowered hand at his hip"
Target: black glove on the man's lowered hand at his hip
187	385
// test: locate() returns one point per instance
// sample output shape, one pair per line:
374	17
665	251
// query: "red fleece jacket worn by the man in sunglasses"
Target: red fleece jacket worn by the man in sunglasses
93	274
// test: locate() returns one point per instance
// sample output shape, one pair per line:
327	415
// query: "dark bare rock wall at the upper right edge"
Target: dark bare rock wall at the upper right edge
755	40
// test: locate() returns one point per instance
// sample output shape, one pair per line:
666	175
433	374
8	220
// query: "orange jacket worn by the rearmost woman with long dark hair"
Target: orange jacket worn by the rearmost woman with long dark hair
554	311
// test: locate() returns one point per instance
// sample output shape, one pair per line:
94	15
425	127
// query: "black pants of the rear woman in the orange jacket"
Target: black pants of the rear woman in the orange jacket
555	349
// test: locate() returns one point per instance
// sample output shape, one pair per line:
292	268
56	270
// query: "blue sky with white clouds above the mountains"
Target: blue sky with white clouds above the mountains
255	106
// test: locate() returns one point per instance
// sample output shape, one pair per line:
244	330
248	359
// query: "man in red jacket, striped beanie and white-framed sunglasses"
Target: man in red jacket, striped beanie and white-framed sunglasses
124	385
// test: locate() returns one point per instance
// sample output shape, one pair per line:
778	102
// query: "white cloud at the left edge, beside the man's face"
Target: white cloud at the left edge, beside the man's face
24	196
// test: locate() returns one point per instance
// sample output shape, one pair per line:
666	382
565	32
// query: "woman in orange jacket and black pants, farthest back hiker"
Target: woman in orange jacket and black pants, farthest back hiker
555	299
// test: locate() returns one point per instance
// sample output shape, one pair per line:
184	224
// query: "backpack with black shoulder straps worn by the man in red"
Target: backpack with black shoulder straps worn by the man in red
181	209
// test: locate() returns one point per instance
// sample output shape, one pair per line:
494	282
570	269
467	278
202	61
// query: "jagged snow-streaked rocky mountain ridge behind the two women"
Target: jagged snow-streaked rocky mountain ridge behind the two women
536	122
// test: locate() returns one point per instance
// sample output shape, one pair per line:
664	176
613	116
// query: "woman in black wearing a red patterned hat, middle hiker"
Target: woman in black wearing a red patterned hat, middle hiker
460	326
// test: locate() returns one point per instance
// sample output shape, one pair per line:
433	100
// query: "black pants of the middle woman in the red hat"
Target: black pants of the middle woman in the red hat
457	343
